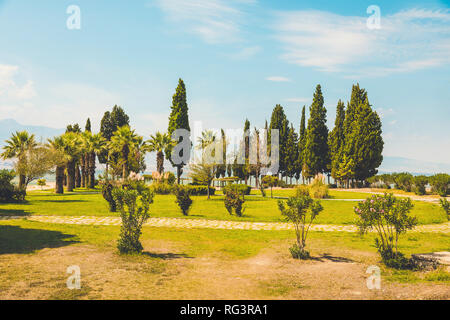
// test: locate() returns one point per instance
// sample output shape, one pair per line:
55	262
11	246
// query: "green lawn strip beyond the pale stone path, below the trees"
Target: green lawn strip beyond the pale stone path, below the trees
256	208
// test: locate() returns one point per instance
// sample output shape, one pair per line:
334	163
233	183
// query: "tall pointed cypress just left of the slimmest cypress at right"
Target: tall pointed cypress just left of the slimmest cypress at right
316	149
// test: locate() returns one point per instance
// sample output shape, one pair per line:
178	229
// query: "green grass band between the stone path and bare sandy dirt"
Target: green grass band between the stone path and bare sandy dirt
27	237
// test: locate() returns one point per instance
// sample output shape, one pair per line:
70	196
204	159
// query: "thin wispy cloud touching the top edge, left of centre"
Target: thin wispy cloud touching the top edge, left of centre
215	21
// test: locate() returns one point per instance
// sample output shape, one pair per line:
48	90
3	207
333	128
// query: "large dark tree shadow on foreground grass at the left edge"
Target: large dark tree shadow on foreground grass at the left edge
14	239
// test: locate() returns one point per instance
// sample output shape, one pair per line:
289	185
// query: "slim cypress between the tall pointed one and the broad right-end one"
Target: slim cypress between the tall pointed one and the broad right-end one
336	139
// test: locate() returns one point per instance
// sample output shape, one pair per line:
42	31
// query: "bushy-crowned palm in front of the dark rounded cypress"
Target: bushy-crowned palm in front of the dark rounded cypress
124	141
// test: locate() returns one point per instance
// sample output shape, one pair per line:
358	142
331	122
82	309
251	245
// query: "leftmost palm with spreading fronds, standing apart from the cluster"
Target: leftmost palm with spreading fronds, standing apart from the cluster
16	147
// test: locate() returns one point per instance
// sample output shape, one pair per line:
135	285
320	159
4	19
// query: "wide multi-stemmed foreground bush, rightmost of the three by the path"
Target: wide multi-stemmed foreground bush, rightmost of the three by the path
388	215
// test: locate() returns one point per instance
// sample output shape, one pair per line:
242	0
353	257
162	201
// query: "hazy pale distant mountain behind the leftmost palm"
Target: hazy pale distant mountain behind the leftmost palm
8	126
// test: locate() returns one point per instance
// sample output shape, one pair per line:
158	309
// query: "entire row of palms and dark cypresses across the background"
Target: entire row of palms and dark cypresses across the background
352	151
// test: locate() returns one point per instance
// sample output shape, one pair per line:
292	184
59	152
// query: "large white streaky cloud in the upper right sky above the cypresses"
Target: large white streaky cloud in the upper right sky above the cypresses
407	41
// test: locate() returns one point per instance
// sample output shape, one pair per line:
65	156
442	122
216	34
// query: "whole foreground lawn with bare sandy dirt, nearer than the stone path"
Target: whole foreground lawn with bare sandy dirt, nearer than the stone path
205	264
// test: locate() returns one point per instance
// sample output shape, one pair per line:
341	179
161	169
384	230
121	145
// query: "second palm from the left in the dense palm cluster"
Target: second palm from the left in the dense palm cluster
72	144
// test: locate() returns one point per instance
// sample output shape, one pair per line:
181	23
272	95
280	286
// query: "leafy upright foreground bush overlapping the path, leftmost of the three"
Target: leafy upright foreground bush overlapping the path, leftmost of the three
133	205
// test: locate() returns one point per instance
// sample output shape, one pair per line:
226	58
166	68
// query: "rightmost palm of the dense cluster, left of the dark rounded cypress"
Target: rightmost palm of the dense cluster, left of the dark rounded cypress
93	144
